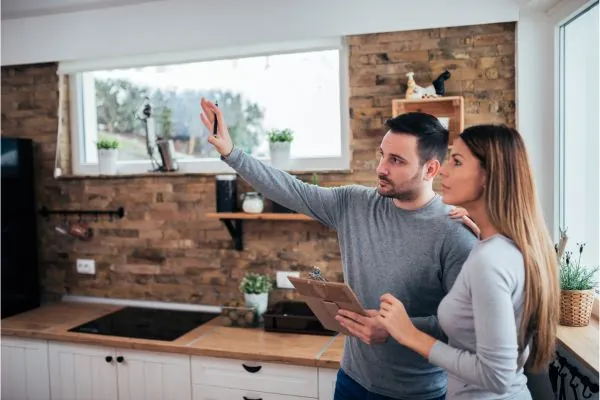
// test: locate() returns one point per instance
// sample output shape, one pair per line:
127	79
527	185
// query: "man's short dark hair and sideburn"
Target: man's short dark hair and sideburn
432	137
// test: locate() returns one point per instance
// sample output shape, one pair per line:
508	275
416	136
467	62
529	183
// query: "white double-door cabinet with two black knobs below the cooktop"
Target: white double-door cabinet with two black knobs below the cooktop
84	372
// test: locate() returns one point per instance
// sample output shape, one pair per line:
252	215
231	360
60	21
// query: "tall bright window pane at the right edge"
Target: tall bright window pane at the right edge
579	166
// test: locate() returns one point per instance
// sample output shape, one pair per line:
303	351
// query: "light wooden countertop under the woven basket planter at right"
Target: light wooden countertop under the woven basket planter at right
582	342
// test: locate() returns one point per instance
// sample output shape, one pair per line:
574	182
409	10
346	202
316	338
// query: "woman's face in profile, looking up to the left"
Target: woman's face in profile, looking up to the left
463	179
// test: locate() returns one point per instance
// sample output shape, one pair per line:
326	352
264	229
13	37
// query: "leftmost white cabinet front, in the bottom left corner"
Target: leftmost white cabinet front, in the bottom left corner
25	374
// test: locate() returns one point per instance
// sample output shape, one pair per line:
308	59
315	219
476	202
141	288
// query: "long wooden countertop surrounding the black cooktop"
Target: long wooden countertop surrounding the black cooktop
52	322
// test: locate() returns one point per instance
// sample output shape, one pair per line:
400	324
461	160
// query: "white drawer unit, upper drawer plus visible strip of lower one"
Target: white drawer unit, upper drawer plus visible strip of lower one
229	378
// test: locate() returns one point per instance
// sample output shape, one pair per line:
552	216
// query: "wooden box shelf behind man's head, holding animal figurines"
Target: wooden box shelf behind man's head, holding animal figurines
451	107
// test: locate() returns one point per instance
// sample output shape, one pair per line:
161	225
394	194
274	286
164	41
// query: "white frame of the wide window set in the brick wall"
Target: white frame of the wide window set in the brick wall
79	90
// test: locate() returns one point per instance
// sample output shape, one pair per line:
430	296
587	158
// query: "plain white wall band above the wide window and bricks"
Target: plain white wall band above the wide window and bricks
181	25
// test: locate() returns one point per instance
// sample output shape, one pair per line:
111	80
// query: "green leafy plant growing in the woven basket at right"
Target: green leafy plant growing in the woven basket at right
573	275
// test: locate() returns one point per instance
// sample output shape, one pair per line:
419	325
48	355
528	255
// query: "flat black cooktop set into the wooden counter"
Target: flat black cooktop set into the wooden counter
146	323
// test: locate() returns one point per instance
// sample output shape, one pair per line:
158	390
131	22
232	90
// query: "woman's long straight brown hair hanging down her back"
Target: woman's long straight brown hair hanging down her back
513	209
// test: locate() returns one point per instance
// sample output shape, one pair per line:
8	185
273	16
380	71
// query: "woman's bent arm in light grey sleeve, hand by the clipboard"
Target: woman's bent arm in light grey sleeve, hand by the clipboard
494	363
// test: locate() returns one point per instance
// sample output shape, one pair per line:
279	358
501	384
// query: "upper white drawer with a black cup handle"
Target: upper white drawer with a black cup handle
257	376
